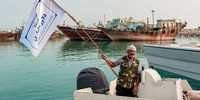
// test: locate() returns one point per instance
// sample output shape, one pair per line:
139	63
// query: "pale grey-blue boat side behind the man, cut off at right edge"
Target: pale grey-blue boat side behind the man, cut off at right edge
179	59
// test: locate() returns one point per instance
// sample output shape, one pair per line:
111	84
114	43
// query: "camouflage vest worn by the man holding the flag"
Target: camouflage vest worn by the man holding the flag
127	75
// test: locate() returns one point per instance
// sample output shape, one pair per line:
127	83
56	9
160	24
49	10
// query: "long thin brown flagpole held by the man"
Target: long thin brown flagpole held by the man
87	36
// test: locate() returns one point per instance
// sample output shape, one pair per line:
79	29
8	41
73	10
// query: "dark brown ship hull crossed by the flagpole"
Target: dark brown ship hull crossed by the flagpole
77	33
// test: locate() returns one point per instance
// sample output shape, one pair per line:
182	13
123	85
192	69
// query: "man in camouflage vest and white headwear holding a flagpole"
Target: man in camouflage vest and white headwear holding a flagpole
128	78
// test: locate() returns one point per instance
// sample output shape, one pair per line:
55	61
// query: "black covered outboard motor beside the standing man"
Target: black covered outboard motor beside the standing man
94	78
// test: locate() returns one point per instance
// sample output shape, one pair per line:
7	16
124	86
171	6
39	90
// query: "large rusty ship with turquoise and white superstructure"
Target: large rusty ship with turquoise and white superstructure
128	29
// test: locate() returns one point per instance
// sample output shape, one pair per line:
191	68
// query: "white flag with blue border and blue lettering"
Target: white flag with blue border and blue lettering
44	18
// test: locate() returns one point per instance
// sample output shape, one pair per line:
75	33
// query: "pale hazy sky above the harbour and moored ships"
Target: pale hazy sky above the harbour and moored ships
14	12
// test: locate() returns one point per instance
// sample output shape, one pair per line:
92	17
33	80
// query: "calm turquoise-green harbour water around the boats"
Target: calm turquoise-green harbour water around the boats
52	75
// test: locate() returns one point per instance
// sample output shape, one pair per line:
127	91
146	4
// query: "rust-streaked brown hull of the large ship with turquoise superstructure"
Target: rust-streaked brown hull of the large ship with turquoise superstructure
143	35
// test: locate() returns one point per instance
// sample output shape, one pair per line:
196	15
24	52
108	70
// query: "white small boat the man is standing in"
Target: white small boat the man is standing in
151	87
